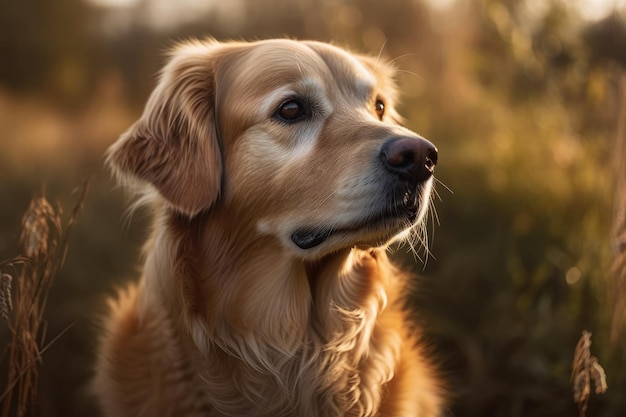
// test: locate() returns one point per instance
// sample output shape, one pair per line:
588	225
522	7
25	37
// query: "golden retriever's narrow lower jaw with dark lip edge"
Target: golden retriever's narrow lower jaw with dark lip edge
372	230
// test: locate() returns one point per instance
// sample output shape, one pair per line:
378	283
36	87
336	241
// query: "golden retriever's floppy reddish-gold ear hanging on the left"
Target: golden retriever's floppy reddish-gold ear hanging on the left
174	145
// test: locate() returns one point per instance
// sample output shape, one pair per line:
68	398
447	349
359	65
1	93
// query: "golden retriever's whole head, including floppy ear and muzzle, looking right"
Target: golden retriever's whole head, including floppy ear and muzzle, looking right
295	140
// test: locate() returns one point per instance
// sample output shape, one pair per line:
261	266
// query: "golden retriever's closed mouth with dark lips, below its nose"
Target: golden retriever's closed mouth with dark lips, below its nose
388	221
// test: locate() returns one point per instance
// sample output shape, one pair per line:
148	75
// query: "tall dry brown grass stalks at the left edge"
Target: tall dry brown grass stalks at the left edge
25	283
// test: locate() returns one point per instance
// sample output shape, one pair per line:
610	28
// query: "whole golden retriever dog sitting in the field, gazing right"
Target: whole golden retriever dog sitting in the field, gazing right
279	173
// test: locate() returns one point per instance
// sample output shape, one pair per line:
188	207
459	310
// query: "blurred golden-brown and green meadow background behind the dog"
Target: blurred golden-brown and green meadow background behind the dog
520	96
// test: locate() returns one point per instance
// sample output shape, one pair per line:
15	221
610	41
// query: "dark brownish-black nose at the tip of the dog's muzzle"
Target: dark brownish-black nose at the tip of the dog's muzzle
410	158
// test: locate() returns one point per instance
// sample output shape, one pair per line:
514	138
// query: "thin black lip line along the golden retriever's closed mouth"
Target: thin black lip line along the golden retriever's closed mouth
312	236
